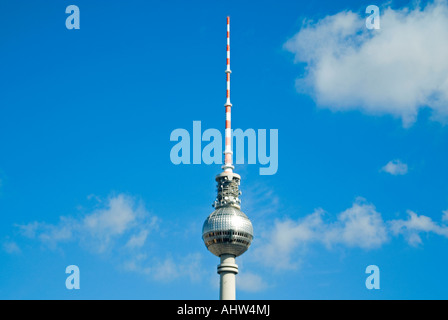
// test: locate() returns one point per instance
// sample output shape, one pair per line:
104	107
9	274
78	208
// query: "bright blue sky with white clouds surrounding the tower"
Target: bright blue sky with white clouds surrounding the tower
86	177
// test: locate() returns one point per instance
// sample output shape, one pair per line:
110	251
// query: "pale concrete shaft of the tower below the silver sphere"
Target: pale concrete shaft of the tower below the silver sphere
227	271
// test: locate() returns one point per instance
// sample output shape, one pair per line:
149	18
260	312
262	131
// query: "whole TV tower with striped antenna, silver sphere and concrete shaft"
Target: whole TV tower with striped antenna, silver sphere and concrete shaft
227	232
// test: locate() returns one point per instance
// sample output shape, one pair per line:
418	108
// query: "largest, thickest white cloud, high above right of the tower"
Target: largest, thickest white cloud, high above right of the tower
396	70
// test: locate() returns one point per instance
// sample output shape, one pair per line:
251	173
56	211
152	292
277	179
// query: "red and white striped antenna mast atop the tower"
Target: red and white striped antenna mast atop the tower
228	167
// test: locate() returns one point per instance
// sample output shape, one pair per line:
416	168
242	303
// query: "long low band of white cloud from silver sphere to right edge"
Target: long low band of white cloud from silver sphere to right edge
361	226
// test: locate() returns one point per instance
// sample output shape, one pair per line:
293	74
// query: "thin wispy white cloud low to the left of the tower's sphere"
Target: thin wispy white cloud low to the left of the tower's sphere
121	225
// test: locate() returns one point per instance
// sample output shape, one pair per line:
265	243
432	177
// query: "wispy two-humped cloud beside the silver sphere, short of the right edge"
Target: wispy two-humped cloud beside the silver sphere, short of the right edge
358	226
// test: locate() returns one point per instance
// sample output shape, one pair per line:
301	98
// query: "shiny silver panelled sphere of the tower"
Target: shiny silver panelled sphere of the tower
227	231
